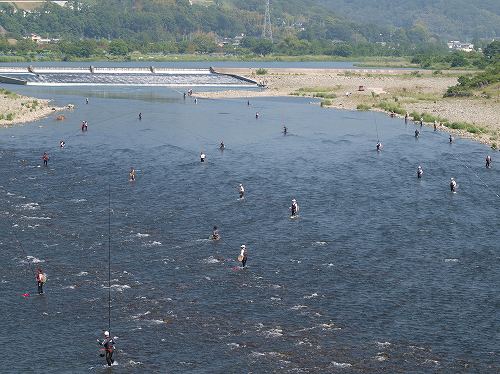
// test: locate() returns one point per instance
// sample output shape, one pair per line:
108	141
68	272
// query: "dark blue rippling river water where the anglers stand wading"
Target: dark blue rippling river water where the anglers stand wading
381	272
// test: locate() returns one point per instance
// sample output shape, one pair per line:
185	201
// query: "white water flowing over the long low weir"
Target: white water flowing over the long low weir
122	76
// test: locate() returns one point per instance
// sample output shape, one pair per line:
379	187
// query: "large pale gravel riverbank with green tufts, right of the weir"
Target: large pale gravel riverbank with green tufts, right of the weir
416	92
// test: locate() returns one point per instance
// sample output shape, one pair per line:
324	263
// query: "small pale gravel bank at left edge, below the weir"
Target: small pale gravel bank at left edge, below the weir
16	109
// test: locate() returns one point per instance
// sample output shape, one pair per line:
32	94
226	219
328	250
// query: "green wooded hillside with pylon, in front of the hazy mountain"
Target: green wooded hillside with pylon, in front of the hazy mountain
117	27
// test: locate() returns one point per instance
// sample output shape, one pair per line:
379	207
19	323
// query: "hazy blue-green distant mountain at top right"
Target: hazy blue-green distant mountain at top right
452	19
